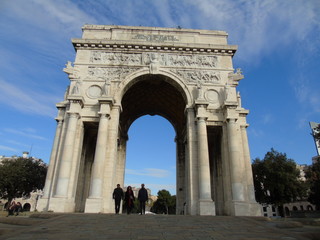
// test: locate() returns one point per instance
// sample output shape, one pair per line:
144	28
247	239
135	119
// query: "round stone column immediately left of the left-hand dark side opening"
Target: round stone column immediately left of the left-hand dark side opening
66	158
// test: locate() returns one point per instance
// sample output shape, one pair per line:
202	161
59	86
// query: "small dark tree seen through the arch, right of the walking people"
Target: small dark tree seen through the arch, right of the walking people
165	204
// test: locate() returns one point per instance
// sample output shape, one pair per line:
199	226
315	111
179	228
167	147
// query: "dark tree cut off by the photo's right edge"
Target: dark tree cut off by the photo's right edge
313	178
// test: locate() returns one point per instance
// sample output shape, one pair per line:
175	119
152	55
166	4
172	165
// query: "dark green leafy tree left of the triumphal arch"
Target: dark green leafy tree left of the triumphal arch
21	176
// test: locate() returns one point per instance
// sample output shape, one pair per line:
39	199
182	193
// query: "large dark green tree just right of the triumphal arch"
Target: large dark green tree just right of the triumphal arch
276	180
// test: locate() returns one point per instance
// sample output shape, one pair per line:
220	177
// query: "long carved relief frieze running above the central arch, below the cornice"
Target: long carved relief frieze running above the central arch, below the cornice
164	59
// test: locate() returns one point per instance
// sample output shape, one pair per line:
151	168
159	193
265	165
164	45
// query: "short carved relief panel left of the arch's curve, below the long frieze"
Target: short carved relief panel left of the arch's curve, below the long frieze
108	74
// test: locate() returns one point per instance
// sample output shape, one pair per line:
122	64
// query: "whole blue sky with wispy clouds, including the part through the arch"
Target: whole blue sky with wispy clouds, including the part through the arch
278	52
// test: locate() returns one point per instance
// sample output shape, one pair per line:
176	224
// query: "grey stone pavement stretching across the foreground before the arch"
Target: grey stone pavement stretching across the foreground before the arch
154	227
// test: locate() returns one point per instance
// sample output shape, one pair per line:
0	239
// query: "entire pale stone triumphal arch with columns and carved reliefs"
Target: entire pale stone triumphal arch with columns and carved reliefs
121	73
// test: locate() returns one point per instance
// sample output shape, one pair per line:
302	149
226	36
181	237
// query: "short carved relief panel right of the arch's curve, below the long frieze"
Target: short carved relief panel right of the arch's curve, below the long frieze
194	76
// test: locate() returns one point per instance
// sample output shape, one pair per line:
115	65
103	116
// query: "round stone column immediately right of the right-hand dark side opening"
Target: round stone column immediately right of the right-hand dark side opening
236	167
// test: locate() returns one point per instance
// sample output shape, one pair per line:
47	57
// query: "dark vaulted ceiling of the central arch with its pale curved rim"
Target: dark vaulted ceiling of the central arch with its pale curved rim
139	87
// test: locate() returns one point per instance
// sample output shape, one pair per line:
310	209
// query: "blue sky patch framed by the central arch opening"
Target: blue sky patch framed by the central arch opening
150	157
